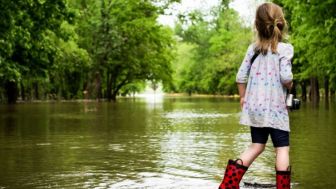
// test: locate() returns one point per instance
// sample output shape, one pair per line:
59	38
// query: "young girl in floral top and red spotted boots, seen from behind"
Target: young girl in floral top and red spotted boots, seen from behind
263	79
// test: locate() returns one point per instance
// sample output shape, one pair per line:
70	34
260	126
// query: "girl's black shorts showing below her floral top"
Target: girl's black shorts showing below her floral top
279	138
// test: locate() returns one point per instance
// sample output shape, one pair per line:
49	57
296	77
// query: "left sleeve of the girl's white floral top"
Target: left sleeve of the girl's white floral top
244	69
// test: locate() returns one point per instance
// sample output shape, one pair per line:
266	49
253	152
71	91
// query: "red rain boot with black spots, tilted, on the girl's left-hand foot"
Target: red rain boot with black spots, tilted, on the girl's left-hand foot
233	175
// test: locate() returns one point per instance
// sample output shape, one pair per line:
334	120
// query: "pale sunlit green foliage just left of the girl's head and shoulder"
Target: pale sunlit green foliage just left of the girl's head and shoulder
211	53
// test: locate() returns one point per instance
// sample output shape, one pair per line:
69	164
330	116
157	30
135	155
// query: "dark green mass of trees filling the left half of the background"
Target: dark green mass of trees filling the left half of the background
62	48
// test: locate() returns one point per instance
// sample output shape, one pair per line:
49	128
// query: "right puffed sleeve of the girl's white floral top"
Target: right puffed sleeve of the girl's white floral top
286	54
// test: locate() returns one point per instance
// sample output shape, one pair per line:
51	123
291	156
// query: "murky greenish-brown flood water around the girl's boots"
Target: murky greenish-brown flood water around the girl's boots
177	142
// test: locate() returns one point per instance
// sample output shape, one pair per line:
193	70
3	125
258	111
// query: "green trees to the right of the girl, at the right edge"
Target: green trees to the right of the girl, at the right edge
313	26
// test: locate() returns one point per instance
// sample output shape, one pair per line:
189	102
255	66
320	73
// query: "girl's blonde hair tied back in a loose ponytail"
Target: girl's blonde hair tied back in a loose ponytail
271	27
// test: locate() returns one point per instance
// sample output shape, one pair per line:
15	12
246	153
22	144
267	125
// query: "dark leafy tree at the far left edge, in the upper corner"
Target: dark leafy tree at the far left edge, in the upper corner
26	45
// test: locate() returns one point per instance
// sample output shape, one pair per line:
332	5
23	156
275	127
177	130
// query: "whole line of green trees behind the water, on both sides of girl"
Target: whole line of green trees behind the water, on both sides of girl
94	49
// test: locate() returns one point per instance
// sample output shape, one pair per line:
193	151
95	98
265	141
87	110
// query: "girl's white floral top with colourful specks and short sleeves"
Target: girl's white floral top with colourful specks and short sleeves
264	102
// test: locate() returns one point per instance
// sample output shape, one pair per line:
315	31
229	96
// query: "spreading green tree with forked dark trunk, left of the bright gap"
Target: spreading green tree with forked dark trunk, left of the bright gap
126	45
